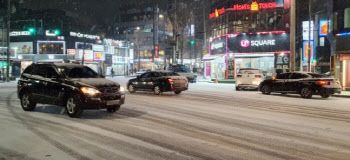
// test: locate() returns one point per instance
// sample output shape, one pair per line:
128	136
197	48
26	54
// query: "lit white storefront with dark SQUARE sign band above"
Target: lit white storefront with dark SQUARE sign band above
262	50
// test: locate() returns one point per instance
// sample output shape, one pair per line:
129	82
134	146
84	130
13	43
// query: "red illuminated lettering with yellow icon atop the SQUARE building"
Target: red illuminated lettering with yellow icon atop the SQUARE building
254	6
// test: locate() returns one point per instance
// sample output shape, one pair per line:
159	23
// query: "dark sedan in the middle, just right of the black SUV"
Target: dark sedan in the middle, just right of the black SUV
158	82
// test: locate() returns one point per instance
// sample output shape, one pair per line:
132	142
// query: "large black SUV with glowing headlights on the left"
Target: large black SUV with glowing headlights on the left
74	86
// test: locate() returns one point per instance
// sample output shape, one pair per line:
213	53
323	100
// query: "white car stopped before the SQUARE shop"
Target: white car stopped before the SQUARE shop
248	78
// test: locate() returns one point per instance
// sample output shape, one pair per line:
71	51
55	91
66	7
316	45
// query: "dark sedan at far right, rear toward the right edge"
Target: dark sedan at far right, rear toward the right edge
303	83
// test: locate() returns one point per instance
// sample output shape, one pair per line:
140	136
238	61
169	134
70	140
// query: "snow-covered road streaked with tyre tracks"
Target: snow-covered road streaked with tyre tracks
210	121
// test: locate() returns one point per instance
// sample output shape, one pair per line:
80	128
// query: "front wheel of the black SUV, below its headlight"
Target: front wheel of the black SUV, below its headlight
73	107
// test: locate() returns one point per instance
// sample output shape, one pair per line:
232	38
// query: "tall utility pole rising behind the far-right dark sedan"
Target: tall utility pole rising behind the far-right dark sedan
292	35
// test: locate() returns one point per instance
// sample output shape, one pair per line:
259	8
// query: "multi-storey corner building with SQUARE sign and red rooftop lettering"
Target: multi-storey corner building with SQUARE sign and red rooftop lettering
247	34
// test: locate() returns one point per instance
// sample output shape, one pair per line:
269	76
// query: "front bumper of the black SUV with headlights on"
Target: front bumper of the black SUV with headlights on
103	101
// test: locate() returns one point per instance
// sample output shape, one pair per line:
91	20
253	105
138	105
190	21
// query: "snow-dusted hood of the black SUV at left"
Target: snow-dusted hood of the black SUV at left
95	82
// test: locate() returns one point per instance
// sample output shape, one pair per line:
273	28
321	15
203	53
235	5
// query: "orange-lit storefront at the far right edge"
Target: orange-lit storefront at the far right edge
342	61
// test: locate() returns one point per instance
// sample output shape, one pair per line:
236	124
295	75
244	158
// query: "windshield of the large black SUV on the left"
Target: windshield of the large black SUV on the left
78	72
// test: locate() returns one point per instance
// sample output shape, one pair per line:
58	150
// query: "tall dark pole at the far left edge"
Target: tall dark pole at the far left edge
8	40
